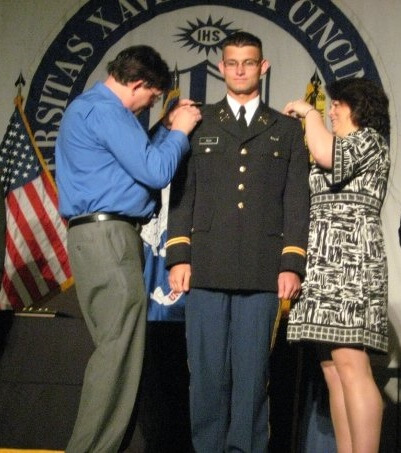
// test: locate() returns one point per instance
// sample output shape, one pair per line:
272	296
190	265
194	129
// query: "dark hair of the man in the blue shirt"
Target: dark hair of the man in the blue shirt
140	63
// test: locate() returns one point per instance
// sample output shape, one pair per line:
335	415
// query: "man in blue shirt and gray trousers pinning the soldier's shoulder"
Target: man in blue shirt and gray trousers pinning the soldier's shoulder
108	173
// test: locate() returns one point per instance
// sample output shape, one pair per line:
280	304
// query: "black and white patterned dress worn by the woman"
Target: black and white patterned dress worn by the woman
344	295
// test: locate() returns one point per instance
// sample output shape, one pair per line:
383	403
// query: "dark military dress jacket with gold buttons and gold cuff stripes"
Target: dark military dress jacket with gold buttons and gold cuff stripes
239	204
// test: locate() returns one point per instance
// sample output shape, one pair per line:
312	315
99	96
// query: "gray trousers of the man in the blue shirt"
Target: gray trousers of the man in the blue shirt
106	259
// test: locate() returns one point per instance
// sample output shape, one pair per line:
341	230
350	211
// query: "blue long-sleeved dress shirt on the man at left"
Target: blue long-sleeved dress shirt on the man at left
105	160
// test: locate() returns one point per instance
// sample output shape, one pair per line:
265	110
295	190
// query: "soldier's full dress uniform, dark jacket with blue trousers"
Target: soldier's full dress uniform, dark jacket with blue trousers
239	214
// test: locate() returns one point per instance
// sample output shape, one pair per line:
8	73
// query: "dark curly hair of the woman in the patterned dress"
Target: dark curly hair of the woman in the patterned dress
367	100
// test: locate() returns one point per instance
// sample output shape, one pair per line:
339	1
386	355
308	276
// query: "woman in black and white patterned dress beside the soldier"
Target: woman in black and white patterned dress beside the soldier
343	306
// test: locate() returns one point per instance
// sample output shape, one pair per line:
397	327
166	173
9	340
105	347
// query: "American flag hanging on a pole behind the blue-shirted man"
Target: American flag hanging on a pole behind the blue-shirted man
36	261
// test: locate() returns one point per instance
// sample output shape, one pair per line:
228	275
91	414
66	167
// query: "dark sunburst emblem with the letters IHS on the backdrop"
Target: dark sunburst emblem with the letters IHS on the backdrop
205	35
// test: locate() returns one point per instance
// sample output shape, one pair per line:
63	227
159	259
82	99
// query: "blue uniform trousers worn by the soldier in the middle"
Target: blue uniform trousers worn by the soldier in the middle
229	340
